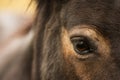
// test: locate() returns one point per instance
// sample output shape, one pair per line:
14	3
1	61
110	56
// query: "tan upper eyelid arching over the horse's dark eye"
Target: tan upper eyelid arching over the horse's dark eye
85	31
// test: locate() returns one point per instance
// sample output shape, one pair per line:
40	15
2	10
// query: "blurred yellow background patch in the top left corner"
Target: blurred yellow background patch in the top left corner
19	6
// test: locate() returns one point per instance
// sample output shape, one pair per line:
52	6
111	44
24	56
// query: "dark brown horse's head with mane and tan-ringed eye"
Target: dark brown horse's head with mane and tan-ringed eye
77	40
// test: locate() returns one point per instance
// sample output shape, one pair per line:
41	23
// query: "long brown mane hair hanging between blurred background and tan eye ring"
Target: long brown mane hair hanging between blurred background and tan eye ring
48	26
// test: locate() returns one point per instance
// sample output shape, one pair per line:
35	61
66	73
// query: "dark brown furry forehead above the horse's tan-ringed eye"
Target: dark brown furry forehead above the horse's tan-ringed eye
104	14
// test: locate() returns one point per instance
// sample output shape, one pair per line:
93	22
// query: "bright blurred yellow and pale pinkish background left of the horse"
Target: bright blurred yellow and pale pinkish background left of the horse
16	34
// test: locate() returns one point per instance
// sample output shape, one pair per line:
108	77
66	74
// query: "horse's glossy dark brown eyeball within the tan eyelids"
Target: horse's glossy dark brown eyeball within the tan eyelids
82	46
